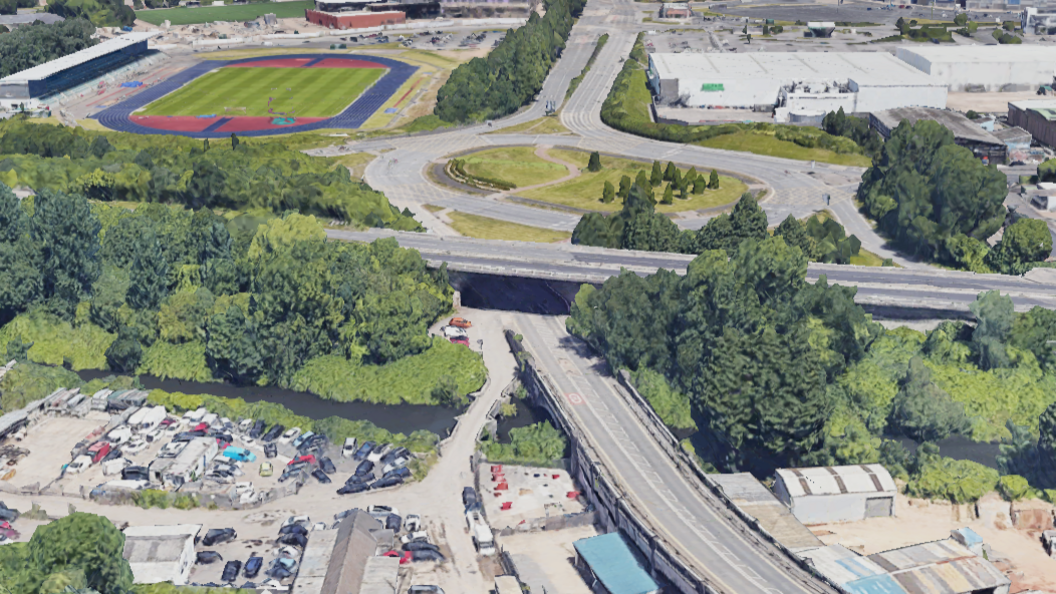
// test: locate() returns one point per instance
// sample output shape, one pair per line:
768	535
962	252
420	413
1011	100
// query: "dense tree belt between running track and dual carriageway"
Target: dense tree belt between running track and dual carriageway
514	72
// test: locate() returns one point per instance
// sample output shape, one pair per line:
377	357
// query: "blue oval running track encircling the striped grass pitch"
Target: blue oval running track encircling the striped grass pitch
117	118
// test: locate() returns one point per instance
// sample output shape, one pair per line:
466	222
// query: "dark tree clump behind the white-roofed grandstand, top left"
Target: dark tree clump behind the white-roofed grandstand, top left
33	45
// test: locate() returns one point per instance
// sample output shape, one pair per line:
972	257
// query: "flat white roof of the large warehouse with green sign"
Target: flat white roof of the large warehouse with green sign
866	68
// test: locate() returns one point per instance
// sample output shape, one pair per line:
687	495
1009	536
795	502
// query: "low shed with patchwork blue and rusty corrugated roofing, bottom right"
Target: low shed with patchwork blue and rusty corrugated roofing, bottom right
945	566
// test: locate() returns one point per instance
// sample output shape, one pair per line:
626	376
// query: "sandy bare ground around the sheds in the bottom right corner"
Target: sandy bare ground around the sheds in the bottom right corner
923	522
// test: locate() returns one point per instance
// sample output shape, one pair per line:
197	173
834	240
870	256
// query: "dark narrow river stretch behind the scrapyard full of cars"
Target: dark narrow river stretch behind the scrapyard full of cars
399	419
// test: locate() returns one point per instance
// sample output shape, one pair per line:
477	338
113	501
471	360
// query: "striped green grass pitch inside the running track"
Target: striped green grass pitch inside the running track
309	92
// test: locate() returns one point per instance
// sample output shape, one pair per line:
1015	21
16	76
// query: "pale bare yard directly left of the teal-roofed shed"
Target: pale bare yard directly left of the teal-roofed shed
554	555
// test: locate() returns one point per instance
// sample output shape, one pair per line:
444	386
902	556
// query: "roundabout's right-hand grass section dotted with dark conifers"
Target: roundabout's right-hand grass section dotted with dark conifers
586	192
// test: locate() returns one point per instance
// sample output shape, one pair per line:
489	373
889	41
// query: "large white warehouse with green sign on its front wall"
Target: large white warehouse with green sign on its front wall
791	84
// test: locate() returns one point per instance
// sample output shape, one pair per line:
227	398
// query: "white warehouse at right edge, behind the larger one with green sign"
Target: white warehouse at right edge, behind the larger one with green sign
984	68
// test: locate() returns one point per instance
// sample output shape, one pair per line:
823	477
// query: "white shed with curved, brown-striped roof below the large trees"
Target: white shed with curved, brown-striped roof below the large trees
837	494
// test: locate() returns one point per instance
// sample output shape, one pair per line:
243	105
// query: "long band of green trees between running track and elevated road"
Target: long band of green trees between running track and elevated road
166	170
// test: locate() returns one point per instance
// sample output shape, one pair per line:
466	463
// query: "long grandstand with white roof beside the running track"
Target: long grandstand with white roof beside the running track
32	85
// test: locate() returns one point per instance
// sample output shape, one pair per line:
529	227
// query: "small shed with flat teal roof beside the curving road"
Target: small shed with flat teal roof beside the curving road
614	566
